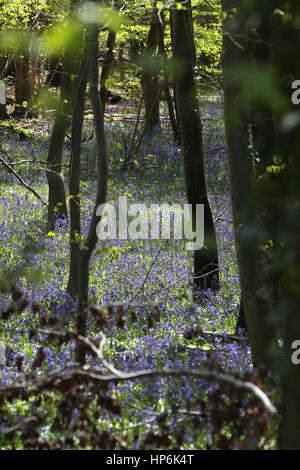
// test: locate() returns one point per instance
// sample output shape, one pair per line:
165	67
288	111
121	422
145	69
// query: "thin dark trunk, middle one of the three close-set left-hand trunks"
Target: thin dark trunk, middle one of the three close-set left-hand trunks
74	183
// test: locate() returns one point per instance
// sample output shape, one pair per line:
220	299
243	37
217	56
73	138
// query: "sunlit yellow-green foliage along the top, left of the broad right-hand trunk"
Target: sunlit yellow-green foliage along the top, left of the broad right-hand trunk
53	32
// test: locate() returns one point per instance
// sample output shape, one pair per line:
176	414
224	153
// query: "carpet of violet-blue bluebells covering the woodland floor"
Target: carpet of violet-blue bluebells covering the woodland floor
37	260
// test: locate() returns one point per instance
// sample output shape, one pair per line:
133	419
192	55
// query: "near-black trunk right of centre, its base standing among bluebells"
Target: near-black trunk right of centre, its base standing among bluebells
206	259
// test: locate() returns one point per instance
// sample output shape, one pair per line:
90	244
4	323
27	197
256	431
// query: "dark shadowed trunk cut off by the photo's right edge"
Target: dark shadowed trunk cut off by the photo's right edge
284	191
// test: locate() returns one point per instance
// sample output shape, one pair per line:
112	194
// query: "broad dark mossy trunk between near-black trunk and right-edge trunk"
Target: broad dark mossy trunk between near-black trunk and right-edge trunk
256	294
